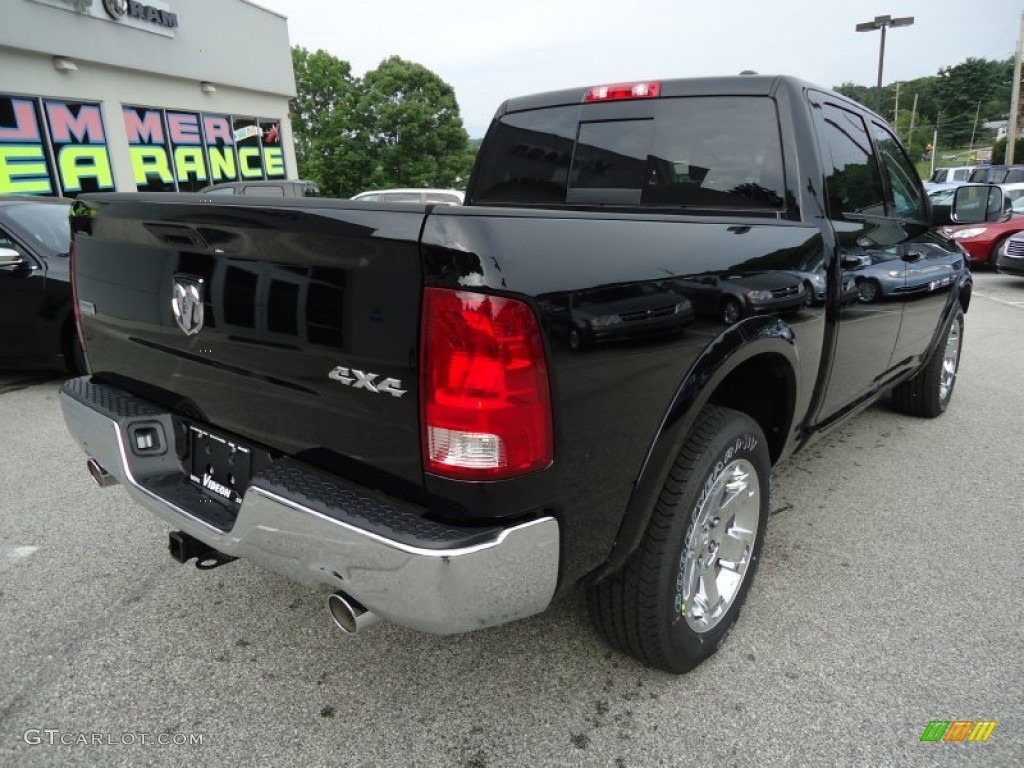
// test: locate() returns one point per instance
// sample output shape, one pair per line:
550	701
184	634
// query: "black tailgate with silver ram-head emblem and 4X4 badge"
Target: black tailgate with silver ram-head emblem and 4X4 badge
293	325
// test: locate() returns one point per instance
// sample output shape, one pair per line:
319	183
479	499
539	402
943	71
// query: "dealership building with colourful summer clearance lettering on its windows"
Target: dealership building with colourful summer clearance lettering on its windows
166	96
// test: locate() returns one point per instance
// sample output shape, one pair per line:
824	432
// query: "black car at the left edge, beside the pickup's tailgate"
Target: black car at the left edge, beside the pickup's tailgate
35	295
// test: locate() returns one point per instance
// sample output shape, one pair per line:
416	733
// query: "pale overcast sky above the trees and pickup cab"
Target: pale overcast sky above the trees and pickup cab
489	51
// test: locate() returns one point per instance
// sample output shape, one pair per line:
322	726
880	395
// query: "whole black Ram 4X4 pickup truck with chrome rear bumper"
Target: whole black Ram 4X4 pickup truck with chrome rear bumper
447	416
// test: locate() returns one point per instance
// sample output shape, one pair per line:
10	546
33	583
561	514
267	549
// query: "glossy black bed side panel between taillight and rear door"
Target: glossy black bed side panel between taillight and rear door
613	398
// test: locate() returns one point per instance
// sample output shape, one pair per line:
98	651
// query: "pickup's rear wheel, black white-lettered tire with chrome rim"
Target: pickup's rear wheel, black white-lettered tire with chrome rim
644	610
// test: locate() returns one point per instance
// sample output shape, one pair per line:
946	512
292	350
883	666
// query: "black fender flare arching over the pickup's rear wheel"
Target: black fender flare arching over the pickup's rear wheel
752	338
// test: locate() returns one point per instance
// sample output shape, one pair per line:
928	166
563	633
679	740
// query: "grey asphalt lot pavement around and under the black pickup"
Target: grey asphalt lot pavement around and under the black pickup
890	595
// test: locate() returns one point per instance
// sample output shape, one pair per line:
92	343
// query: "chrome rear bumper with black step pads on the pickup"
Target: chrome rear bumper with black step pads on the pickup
325	532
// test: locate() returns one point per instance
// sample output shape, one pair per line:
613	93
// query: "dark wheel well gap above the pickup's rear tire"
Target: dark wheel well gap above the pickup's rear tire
763	389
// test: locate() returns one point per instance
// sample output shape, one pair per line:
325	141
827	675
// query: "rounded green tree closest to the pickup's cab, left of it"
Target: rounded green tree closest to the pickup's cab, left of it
413	131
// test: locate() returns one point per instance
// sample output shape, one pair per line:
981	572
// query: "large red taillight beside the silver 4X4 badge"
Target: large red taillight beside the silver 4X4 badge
486	409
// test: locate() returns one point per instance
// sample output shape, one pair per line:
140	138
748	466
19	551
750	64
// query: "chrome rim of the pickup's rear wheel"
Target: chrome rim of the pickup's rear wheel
720	546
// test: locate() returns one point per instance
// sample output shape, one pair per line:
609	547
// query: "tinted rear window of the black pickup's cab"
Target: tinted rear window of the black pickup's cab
720	152
